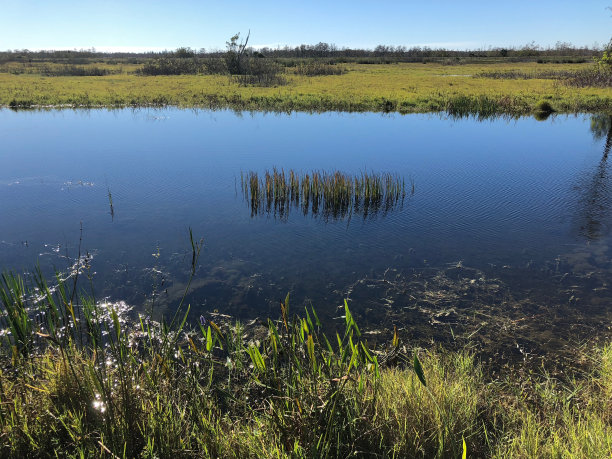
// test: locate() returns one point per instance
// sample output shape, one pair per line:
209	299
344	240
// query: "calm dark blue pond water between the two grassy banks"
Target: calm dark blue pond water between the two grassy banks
506	236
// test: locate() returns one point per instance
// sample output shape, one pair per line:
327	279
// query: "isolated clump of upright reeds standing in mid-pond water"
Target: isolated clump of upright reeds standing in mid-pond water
334	195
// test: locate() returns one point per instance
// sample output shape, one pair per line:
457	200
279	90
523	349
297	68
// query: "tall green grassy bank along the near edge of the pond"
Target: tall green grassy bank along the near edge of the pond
78	381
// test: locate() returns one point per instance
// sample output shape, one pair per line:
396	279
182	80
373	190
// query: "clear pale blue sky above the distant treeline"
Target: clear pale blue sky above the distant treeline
156	25
